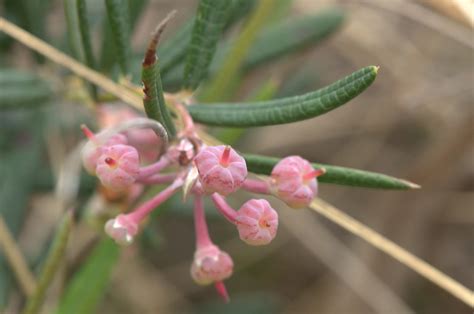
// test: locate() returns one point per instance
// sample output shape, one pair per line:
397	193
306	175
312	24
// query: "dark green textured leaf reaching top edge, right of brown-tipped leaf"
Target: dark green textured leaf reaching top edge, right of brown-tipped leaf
208	26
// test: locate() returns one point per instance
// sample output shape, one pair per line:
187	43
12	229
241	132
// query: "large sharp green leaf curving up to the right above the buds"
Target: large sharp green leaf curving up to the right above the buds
286	110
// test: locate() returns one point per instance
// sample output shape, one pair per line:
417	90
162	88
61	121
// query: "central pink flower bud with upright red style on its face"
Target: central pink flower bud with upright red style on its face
221	169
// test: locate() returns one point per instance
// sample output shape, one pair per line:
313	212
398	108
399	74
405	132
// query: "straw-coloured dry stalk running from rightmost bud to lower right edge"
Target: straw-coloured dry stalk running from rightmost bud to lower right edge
394	250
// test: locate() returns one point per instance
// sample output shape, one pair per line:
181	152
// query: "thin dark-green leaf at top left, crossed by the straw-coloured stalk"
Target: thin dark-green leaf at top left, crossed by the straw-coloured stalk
86	39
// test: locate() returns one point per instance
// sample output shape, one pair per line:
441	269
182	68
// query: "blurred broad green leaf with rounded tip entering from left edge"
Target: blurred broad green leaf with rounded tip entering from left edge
22	89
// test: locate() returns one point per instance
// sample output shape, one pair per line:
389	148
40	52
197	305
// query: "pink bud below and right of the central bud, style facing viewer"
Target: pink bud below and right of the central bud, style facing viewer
257	222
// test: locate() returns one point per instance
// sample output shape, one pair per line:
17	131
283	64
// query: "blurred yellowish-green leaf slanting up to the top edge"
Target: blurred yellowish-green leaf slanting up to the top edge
220	85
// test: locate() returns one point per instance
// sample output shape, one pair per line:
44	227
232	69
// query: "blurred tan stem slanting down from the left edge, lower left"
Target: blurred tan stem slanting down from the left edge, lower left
16	260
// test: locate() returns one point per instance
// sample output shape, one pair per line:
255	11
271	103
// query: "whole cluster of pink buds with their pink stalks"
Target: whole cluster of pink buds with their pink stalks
114	156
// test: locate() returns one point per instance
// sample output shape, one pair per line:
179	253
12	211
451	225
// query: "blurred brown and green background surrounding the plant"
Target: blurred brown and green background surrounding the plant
414	122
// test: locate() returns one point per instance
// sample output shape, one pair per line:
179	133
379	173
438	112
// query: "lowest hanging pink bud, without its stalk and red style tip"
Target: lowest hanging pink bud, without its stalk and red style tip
211	265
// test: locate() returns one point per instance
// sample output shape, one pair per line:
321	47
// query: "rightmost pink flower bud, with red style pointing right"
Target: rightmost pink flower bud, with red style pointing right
294	181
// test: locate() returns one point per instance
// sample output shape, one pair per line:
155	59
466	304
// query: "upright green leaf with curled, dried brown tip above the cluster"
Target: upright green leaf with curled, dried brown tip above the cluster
154	101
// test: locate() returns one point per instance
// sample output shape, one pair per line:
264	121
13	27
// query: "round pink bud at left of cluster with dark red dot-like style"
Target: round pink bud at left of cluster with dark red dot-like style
118	166
